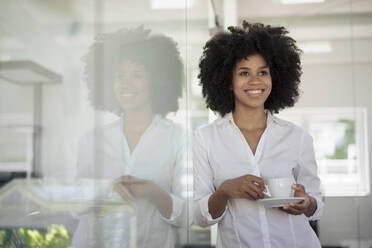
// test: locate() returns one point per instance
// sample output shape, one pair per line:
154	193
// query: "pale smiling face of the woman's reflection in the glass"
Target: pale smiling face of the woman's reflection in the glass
131	85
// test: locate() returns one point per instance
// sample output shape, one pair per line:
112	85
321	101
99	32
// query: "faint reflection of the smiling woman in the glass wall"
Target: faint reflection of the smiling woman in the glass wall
139	76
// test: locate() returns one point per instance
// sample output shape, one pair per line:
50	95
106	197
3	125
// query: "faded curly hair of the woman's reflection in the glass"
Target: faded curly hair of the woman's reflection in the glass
157	53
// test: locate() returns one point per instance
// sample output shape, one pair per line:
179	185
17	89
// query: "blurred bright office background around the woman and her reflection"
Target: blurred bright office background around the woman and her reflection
44	107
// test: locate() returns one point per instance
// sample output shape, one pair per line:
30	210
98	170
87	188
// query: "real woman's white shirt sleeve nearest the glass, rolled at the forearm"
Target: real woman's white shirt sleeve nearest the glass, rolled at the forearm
203	183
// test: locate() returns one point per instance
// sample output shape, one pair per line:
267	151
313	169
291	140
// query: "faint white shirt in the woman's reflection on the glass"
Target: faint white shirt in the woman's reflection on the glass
104	154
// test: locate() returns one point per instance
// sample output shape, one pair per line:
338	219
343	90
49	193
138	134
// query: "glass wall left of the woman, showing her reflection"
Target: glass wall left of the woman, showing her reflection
94	122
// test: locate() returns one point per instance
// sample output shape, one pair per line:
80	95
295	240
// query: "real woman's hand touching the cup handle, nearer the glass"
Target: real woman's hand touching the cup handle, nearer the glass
247	186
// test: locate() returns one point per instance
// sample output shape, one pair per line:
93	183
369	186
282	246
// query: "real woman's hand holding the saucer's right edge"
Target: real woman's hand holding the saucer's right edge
304	207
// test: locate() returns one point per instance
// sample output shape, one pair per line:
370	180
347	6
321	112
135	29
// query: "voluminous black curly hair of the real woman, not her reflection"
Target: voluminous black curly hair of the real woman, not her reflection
225	49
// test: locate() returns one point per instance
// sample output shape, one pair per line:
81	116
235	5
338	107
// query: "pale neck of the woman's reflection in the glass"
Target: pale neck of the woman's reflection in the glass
138	119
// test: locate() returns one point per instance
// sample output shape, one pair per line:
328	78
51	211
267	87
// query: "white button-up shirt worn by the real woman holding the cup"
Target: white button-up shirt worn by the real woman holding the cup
284	150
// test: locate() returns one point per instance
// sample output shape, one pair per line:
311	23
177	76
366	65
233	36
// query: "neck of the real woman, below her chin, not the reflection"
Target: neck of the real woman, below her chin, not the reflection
250	119
